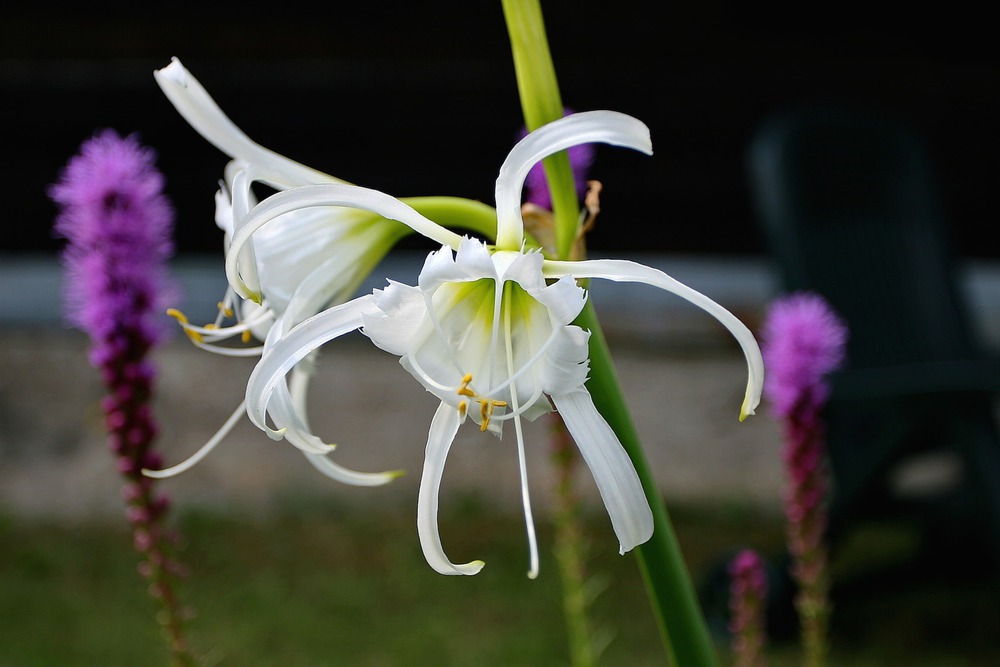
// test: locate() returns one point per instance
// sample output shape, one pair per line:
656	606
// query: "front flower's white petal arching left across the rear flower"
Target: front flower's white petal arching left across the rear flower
331	194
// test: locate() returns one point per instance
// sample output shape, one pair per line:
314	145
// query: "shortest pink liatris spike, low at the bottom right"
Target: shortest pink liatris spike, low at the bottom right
748	606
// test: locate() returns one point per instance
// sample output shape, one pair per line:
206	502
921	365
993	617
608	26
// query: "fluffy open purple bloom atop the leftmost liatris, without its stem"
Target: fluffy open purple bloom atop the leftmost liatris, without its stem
119	226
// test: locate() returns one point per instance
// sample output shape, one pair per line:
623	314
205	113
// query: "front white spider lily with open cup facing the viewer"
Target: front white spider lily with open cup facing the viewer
488	331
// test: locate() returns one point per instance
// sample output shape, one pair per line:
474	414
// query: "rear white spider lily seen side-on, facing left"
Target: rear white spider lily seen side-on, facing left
301	263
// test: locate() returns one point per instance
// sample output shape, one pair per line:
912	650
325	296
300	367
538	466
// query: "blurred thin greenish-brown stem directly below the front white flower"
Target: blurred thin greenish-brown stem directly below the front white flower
570	549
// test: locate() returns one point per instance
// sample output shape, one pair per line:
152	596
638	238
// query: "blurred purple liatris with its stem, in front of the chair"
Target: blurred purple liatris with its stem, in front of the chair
804	341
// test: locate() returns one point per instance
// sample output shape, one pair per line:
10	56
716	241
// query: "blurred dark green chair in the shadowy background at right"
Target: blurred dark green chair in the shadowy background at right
850	210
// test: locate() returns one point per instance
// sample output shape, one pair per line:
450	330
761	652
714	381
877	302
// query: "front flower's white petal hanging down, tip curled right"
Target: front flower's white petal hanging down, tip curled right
442	433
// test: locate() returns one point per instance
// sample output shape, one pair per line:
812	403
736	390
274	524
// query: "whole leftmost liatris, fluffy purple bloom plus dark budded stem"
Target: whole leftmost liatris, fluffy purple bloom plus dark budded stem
118	224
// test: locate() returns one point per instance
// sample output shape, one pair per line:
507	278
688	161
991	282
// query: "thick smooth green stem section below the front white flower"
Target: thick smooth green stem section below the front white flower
668	583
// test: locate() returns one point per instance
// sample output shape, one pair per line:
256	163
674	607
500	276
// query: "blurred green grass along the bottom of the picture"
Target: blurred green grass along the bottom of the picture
315	584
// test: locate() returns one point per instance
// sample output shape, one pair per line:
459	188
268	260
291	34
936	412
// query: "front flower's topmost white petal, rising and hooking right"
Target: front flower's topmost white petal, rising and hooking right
609	127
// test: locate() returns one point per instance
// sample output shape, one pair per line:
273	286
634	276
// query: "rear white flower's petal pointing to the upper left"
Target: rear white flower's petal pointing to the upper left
198	108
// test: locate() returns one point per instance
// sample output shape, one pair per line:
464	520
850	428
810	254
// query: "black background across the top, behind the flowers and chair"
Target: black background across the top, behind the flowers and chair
420	99
